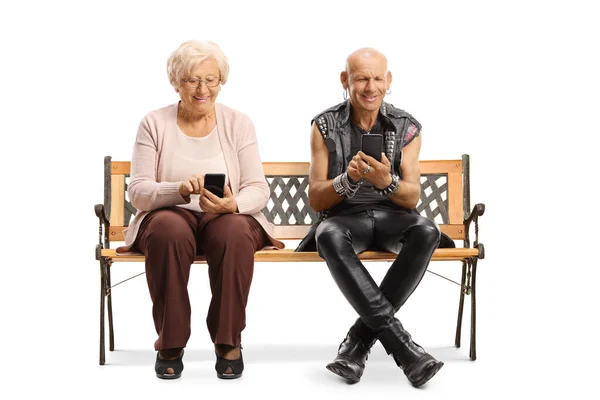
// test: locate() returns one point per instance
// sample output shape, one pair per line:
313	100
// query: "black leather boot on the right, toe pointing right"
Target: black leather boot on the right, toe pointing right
417	364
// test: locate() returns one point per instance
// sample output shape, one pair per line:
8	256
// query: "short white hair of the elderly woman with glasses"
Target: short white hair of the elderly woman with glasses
191	53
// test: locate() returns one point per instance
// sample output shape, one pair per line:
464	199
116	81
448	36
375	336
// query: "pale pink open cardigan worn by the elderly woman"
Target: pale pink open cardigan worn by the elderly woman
151	186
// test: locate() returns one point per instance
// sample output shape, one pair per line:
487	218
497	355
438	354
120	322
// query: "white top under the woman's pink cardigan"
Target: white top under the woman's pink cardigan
197	156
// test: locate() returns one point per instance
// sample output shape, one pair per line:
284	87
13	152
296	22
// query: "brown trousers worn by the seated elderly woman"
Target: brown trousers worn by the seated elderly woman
170	238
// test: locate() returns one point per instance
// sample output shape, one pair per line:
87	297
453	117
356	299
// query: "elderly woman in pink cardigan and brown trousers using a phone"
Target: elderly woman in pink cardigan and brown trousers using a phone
179	218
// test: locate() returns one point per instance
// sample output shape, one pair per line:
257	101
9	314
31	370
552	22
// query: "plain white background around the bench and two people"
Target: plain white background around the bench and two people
514	84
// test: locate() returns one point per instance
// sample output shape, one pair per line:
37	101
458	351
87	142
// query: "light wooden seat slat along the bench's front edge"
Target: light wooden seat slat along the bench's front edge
288	255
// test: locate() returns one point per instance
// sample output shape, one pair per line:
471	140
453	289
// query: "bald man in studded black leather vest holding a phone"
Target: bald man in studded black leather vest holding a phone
368	202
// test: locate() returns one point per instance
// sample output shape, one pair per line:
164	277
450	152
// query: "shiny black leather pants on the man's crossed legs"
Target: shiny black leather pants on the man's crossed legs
340	238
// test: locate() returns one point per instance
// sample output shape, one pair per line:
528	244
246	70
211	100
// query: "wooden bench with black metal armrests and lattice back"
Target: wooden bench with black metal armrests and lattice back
445	198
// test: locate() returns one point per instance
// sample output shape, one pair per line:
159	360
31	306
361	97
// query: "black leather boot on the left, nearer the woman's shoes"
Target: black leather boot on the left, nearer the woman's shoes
350	360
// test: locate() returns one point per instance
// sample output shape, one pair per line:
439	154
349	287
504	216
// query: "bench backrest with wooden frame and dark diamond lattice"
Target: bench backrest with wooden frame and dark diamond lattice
444	196
